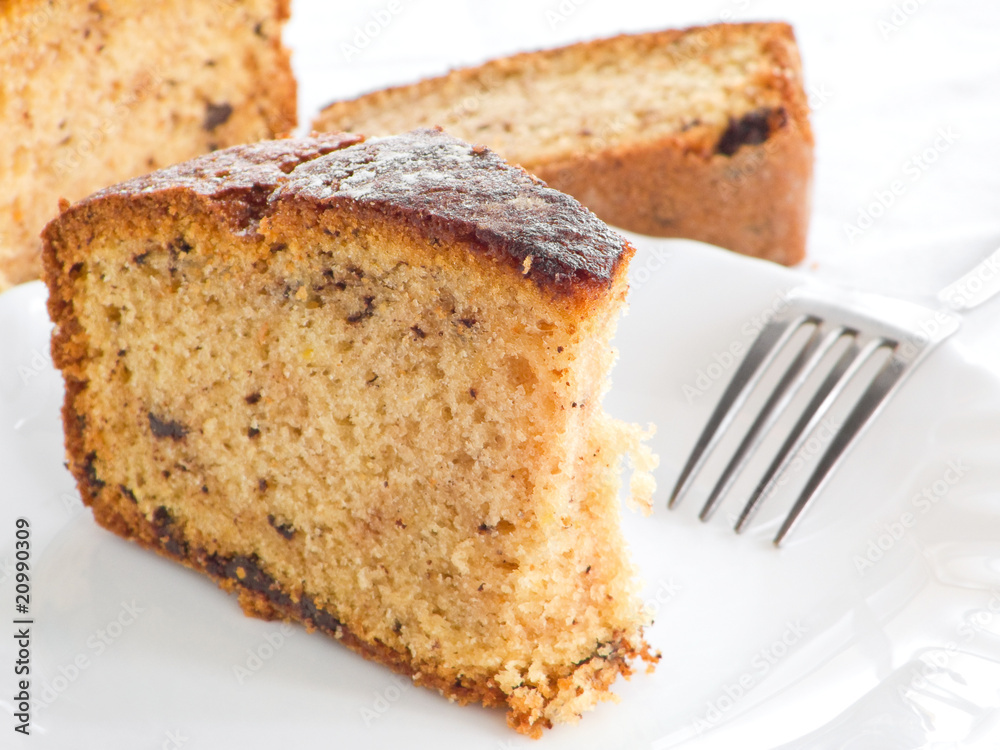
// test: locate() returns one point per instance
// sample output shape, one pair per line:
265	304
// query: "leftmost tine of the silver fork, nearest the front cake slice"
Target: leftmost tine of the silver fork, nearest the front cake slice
769	342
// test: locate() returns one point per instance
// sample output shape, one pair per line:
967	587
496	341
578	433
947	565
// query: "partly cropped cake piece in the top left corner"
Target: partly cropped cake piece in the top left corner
94	92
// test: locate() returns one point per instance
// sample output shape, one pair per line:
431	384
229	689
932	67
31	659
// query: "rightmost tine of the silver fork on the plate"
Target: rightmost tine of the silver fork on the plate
867	407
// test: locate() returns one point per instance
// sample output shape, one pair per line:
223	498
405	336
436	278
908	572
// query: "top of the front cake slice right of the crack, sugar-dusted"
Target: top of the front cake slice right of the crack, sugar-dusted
449	190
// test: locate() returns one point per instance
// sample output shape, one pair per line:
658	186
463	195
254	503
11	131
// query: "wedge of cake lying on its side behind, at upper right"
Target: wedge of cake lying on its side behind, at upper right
702	133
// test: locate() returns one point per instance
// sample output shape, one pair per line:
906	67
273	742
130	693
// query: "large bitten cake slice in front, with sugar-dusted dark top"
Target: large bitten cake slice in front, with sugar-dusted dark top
359	383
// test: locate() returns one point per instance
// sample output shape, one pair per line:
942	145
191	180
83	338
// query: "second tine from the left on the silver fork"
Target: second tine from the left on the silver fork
808	359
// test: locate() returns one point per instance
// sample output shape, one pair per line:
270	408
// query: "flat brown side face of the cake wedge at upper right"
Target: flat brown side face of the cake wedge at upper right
755	202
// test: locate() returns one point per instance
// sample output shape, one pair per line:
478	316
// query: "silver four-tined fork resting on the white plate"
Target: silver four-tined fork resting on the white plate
870	324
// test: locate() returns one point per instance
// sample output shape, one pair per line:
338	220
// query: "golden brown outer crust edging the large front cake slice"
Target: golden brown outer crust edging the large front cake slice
233	191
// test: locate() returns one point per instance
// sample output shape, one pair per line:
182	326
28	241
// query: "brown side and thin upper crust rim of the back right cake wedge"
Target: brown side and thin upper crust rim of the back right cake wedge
745	187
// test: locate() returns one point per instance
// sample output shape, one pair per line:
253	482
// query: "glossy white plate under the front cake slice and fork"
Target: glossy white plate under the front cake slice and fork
807	645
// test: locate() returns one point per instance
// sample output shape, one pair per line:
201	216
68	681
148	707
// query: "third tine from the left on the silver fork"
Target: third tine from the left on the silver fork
843	371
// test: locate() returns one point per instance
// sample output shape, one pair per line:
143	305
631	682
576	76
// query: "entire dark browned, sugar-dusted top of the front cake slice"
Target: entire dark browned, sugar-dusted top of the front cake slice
443	188
